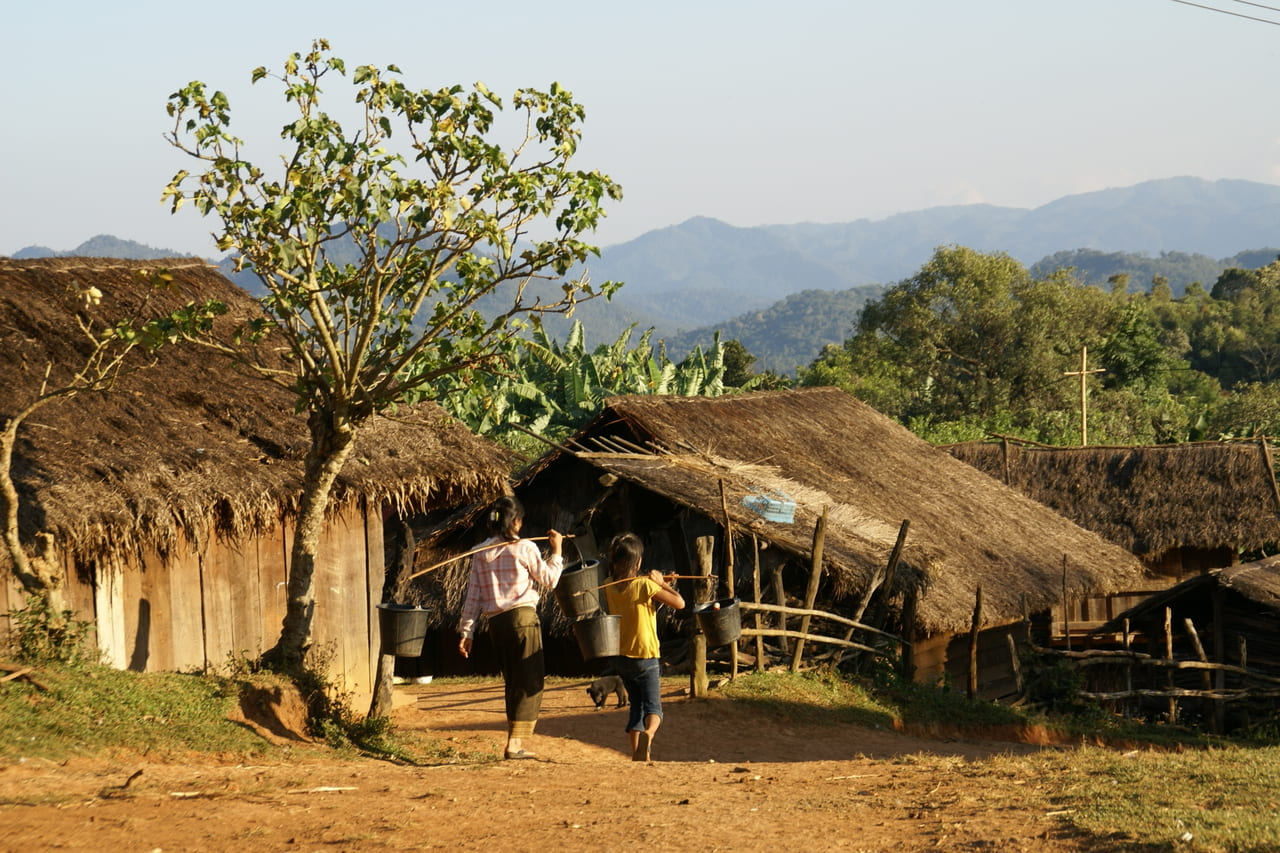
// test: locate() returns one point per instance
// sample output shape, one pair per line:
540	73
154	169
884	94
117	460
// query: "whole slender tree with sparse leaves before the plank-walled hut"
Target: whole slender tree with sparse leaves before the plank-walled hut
376	243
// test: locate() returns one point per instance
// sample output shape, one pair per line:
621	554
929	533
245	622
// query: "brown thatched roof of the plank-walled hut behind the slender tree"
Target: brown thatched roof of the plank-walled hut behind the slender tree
189	445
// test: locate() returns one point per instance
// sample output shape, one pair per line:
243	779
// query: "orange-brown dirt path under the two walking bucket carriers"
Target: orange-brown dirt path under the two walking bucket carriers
719	782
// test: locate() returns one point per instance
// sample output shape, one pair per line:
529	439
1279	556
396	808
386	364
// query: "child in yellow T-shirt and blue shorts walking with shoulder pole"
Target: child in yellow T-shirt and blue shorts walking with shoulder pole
639	664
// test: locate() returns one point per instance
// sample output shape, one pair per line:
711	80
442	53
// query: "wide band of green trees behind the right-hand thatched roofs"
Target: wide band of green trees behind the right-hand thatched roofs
976	345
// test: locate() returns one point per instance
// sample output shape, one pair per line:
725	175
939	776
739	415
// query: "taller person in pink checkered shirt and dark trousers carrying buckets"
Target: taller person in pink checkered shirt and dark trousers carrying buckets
502	589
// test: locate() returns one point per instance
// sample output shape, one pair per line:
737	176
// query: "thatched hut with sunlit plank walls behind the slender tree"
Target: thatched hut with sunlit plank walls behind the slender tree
170	498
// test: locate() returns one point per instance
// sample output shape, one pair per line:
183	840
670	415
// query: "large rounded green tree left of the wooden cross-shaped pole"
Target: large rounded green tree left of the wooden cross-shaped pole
971	337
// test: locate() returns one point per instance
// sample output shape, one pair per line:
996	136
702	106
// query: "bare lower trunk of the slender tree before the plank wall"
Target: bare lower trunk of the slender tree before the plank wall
332	440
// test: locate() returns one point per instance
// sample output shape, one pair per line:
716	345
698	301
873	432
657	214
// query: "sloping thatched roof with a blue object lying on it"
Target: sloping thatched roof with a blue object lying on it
825	449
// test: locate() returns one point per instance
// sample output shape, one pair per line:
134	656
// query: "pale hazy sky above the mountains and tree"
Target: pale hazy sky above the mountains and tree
746	111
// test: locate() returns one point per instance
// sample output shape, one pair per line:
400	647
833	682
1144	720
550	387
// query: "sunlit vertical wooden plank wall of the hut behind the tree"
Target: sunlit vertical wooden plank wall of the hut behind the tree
200	609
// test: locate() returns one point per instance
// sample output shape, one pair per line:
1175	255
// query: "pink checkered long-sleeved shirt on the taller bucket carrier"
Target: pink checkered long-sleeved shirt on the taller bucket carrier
504	578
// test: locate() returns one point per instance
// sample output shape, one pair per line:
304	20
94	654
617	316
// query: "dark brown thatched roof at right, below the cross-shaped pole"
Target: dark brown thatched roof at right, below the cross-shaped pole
1148	500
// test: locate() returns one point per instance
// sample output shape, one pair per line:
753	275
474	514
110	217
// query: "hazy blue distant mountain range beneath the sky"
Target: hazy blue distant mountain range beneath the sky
787	291
